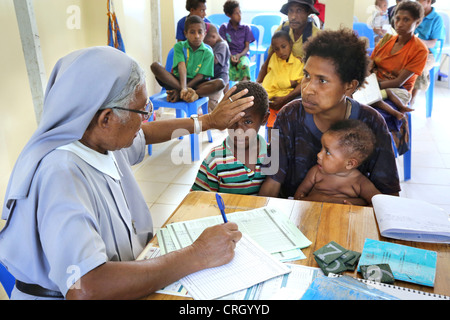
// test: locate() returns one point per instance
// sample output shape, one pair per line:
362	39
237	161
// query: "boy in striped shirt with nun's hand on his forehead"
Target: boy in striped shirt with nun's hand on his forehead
235	165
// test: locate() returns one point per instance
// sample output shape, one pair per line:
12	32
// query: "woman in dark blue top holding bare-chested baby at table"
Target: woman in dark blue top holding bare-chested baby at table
335	66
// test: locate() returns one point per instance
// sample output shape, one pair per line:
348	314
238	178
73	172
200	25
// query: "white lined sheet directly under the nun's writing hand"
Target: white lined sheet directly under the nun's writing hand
250	265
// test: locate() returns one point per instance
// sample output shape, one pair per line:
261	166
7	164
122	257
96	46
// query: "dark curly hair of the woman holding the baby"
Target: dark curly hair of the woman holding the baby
345	49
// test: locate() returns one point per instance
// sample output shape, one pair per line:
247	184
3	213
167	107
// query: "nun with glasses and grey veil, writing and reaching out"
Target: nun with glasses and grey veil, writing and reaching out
76	219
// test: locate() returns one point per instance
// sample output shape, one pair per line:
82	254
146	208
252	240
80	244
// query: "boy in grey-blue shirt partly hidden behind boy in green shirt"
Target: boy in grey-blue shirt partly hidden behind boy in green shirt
221	60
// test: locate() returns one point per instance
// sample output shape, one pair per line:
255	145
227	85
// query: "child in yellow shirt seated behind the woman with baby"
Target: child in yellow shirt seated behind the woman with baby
284	73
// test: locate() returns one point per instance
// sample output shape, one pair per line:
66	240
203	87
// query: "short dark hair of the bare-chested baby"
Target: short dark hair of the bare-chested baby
357	139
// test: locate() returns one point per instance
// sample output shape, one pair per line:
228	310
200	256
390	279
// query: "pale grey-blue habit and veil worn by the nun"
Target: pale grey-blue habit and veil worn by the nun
68	208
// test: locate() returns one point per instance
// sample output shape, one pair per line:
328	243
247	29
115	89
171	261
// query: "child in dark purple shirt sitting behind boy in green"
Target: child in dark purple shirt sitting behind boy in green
239	36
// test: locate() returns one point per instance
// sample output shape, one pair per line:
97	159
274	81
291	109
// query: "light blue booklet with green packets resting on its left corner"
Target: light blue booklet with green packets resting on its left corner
407	263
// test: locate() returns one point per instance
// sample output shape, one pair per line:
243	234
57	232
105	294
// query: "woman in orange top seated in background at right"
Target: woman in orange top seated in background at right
400	59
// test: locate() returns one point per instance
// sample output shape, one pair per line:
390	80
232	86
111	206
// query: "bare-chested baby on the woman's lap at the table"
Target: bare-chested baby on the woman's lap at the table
335	177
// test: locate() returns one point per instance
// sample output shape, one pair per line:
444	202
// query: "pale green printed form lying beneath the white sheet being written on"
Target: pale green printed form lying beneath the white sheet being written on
268	227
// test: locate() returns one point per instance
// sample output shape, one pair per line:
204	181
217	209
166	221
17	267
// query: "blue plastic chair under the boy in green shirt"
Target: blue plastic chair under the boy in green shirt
183	109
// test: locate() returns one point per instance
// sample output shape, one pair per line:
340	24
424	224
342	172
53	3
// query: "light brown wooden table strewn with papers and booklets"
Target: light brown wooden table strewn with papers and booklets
321	223
